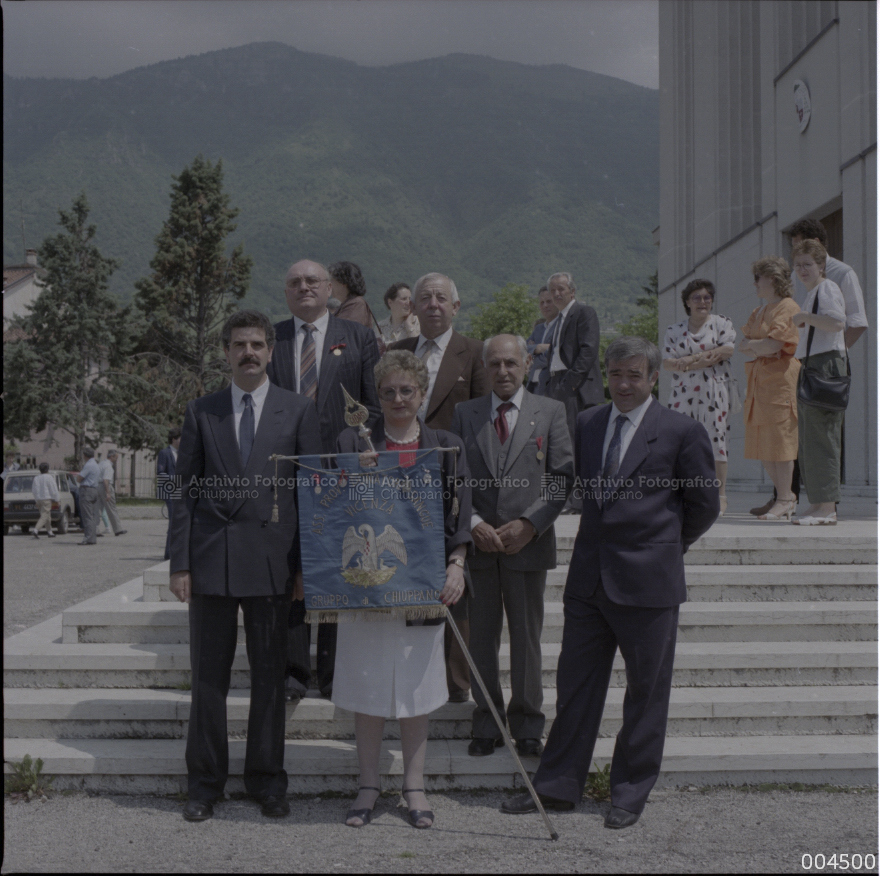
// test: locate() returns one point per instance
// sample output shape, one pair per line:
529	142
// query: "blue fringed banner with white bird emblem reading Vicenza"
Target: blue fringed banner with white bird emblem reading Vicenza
372	538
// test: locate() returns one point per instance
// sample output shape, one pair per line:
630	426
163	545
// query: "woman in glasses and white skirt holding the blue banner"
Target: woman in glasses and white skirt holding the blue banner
391	667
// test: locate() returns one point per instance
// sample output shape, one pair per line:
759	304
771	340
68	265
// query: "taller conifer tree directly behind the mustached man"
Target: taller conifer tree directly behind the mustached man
194	286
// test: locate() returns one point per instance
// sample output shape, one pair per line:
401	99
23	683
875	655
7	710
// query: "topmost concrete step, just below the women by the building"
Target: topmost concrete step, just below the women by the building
793	545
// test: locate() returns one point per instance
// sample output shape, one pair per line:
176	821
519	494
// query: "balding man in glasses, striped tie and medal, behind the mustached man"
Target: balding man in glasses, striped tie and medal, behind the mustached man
317	354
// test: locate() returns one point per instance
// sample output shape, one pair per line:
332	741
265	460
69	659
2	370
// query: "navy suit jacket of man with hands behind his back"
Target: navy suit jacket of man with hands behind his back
665	500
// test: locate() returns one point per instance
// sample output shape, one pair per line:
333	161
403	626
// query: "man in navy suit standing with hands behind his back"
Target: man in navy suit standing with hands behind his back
649	493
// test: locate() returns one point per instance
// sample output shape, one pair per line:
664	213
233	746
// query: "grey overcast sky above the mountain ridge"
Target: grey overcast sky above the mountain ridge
83	38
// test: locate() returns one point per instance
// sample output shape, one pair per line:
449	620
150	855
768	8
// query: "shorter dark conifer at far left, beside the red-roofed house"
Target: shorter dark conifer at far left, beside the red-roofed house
73	342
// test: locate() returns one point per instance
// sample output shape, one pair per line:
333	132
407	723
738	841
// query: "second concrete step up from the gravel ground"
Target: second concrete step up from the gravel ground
163	714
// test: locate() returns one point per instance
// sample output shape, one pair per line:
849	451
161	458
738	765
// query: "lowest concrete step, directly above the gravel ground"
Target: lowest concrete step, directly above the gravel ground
157	765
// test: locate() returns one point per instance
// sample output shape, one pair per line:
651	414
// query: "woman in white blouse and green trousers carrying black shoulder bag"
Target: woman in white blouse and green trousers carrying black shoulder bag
819	430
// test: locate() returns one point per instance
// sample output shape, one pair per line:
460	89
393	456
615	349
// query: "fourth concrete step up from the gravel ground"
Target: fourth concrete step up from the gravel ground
168	623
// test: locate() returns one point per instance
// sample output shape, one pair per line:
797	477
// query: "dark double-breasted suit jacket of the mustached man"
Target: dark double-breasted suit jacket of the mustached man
221	528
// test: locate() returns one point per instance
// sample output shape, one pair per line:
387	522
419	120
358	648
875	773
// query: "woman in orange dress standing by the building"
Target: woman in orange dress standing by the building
770	408
